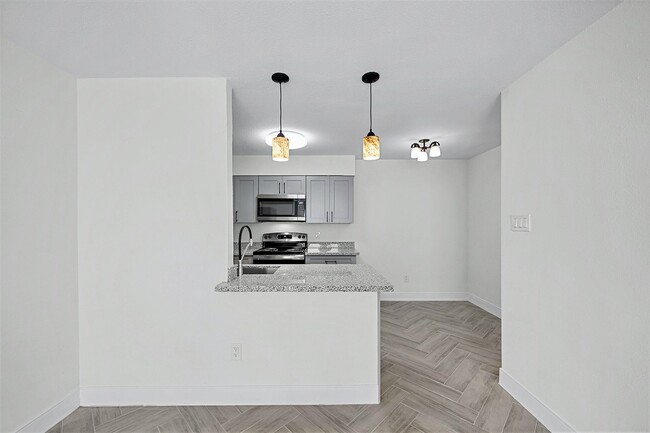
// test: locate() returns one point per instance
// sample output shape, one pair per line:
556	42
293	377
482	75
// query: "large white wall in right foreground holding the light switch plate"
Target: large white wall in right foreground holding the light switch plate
576	130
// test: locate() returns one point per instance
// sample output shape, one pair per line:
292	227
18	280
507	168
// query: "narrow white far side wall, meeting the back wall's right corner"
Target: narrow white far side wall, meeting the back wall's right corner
484	226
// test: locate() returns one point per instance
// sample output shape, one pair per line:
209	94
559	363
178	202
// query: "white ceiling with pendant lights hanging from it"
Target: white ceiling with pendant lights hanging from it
442	64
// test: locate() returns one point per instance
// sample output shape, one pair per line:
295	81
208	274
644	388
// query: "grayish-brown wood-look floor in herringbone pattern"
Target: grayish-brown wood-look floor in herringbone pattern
439	369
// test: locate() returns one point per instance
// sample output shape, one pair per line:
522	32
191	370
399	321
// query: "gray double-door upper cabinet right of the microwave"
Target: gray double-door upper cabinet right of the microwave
330	199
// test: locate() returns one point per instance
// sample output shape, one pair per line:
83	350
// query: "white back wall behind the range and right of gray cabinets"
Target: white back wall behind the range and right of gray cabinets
410	219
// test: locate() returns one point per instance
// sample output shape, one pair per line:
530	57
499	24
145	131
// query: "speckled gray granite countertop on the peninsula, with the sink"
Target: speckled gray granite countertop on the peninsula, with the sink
308	278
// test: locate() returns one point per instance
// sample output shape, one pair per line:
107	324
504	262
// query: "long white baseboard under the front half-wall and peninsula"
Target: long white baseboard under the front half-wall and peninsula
228	395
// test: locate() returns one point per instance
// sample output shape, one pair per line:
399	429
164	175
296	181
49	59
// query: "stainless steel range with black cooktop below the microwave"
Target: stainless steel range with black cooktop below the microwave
279	248
